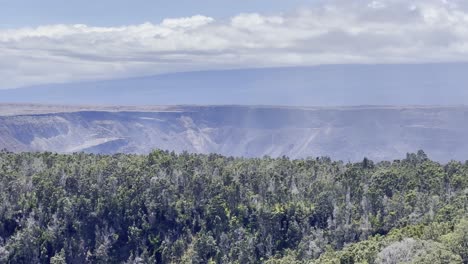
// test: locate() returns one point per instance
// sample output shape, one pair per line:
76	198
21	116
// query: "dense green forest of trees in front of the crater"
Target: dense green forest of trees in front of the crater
189	208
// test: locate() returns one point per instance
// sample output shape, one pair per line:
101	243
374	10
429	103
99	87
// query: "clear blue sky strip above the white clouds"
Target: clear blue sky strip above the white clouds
19	13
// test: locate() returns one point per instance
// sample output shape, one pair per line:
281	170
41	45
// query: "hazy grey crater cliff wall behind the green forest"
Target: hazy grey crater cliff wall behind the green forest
351	133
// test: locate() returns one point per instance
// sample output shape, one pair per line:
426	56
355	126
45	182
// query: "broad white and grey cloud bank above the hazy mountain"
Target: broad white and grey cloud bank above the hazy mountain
378	31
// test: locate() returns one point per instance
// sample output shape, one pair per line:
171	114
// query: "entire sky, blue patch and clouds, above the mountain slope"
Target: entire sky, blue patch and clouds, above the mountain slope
54	41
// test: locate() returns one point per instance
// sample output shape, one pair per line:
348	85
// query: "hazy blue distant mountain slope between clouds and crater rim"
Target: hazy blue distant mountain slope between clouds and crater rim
420	84
